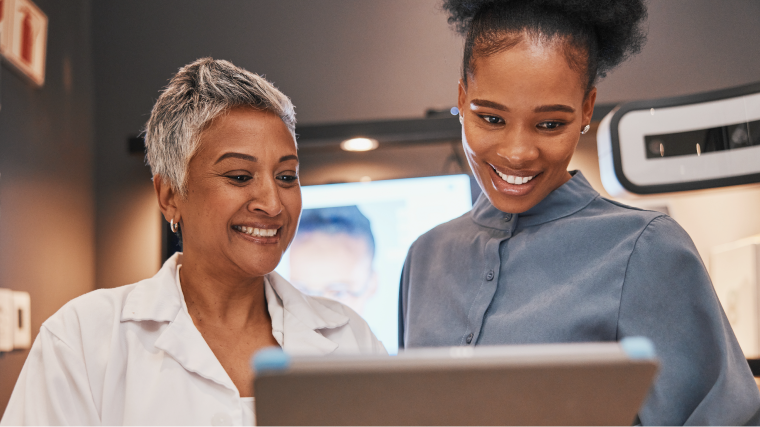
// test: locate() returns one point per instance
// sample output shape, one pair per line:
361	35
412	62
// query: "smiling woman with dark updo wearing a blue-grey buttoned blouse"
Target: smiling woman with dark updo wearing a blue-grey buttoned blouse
542	258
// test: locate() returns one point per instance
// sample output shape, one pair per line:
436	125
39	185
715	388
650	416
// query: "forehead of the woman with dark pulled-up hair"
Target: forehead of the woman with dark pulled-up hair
532	72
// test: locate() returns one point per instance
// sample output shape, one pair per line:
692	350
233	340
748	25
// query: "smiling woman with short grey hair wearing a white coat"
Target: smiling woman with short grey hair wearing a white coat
175	349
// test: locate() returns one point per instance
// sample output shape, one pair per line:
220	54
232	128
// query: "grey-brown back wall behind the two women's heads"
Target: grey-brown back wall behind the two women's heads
343	61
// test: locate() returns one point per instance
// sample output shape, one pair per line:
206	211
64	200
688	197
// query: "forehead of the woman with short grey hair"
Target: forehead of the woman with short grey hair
244	129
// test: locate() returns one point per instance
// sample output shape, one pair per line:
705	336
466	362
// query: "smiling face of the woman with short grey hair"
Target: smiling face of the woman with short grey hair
243	197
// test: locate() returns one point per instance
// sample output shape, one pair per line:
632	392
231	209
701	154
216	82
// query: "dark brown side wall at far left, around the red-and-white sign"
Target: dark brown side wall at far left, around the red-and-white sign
47	209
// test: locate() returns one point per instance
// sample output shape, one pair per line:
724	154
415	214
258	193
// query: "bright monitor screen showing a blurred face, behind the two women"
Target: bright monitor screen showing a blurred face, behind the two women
353	239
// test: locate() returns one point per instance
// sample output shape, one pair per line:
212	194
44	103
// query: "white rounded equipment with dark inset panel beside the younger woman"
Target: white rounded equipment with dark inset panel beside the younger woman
684	143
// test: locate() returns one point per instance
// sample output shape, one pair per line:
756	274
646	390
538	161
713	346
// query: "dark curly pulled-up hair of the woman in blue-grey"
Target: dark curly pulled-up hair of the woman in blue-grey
599	34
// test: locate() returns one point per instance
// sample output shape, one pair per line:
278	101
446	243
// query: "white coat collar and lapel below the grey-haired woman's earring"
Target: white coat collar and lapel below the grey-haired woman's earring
160	299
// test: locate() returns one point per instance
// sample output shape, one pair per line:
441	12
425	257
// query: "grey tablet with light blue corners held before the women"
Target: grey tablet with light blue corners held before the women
599	384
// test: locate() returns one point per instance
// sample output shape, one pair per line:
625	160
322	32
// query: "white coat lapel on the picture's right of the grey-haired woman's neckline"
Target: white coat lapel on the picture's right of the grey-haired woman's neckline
297	319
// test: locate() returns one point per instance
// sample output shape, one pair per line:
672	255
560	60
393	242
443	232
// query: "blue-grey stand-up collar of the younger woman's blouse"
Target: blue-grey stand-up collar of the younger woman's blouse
566	200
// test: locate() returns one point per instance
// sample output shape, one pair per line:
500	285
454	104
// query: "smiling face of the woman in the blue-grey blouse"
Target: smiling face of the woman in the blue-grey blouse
523	110
